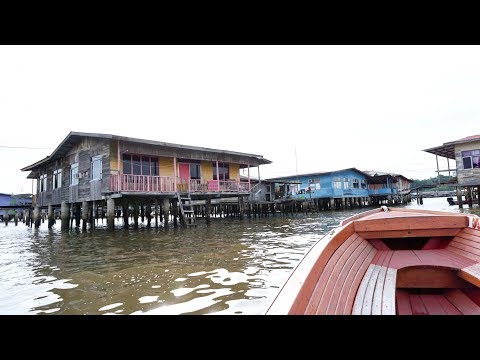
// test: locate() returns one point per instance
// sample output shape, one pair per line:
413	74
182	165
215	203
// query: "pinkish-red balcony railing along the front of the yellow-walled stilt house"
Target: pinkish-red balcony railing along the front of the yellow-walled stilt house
144	183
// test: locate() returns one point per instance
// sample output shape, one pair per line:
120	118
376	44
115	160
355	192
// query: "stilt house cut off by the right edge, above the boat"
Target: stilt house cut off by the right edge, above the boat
466	155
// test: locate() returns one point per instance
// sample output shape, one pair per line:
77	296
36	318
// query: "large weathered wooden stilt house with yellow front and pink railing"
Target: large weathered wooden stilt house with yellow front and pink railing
88	170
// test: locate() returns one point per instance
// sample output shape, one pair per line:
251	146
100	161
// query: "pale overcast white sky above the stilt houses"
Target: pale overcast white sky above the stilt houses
305	108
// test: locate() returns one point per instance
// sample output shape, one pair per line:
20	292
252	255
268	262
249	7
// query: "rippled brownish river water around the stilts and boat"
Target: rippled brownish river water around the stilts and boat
230	267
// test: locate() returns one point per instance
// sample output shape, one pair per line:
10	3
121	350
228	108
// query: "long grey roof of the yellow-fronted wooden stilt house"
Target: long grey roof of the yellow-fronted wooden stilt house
73	137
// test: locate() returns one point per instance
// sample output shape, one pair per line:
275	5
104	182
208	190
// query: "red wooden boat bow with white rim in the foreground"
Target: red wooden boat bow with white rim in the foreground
389	261
